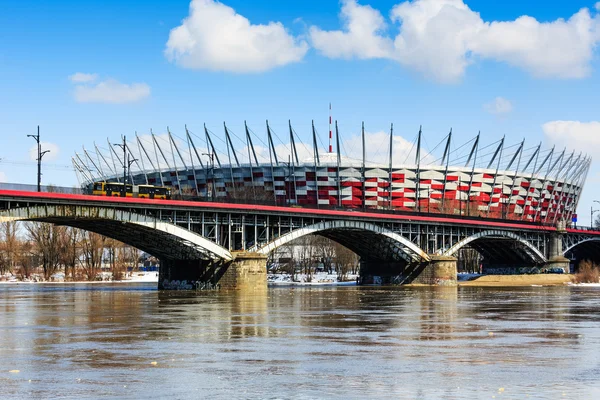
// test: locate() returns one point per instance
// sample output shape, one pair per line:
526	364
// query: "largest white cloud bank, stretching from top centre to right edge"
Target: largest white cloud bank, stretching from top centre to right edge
441	38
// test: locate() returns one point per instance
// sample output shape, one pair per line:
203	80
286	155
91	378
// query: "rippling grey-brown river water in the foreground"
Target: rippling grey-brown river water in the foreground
131	341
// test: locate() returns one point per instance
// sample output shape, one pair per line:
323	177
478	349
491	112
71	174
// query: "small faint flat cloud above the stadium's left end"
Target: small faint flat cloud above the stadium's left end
111	91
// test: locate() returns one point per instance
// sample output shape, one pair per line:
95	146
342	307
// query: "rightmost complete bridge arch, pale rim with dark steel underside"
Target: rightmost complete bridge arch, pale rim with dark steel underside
525	250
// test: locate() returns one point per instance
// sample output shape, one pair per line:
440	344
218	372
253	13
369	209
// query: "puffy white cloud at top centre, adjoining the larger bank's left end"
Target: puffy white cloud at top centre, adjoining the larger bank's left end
360	38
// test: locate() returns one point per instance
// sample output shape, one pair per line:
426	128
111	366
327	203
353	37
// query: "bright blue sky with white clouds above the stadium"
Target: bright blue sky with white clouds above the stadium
139	76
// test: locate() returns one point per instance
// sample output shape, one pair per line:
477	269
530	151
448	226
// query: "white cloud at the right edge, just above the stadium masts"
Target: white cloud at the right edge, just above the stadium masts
583	136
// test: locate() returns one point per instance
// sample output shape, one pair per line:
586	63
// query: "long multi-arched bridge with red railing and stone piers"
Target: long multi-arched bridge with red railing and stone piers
228	244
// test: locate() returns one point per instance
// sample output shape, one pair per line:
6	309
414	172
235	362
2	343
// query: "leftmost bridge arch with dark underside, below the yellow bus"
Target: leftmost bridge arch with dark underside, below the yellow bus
159	238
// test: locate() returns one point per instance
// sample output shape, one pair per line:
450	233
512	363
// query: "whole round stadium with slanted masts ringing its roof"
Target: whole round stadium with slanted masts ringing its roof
494	180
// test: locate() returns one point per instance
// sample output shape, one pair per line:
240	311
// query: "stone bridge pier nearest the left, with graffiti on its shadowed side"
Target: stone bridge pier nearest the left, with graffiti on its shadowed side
247	271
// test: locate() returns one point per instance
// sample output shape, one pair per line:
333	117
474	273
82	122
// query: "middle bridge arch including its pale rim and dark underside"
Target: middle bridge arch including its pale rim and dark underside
354	235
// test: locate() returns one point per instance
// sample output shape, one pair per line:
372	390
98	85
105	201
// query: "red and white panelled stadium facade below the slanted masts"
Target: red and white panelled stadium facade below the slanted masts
545	192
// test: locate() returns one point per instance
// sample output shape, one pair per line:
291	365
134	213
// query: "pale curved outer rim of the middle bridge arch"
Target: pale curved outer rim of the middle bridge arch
408	247
